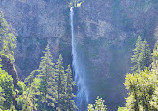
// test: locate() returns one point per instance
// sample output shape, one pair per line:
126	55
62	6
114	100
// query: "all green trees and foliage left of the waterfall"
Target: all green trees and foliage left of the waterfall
50	87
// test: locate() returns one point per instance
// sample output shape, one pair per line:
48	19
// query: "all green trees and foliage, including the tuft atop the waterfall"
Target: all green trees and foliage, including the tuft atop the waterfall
50	87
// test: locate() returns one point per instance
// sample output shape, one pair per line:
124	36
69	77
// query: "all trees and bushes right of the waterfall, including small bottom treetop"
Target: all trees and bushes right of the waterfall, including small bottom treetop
142	83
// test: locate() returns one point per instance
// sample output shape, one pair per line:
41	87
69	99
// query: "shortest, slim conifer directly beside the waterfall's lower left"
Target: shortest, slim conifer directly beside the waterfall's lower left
70	104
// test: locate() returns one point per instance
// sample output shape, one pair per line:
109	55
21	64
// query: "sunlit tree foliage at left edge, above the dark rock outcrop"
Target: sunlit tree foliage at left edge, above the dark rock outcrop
7	39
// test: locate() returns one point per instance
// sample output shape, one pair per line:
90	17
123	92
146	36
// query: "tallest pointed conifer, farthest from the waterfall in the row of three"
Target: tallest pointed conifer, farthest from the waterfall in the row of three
46	74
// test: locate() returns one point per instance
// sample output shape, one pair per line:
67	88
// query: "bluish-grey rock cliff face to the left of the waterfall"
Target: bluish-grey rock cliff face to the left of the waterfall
37	23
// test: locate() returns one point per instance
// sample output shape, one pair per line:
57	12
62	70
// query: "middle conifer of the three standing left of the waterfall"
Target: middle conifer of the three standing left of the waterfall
61	83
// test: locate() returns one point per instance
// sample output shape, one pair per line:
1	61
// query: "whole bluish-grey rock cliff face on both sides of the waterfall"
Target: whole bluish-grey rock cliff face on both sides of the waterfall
106	31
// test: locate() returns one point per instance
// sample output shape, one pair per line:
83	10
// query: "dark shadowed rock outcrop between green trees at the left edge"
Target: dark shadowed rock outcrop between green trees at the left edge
9	67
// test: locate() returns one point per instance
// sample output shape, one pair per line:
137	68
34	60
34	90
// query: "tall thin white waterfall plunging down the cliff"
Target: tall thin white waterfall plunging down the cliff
82	93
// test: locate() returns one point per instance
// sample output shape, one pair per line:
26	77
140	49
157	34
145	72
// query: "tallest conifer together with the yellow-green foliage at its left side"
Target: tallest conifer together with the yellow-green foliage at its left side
41	86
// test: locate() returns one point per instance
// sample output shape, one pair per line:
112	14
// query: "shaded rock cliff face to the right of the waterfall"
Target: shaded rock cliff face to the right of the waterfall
107	31
